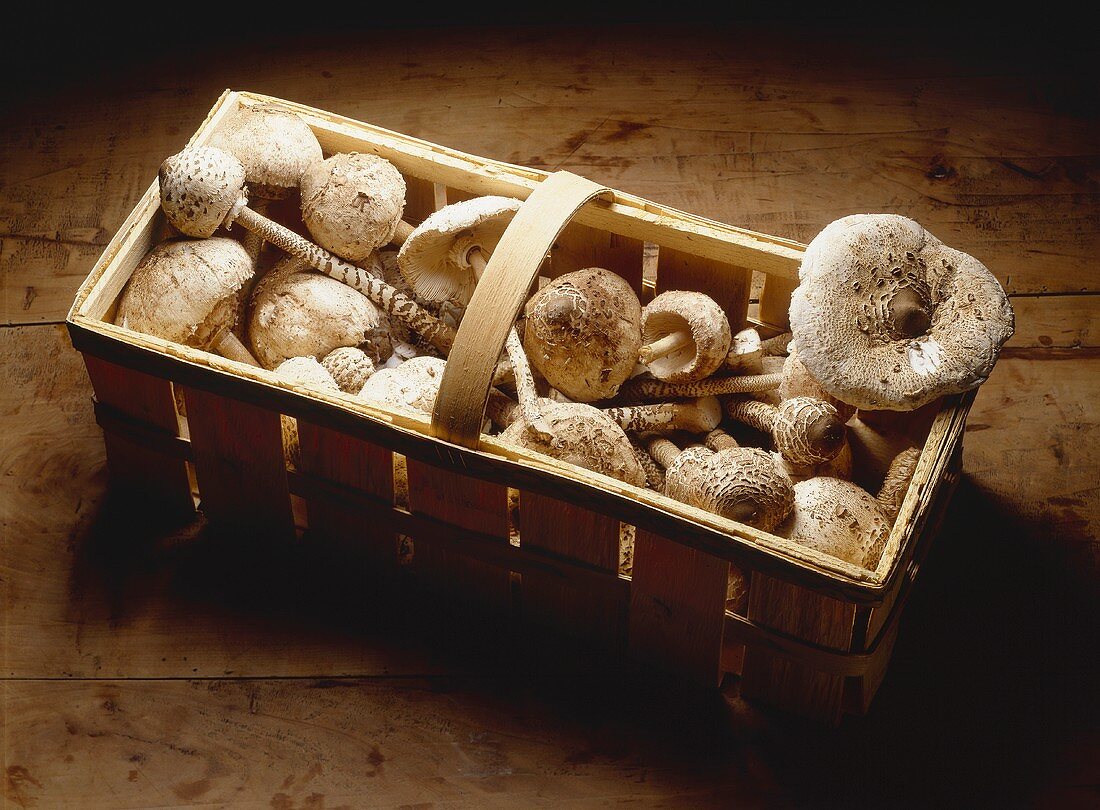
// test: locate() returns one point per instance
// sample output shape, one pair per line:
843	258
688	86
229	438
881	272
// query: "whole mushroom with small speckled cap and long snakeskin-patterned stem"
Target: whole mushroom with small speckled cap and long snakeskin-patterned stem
203	189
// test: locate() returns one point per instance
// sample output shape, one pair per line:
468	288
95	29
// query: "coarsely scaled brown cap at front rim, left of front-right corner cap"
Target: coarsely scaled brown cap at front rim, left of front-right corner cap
740	484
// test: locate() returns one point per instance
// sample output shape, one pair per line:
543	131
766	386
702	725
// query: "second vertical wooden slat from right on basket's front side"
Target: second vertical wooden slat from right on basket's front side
678	608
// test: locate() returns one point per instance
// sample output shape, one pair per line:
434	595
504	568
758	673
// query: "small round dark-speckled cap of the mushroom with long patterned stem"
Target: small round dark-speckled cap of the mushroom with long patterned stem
201	188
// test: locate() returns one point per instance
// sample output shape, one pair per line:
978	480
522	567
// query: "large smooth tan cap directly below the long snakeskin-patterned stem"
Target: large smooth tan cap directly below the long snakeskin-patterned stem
298	312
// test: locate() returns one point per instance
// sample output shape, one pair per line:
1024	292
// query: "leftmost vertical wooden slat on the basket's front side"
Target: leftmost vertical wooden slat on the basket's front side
144	475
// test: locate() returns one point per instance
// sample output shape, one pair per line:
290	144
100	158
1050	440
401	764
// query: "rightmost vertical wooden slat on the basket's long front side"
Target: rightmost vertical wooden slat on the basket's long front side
776	681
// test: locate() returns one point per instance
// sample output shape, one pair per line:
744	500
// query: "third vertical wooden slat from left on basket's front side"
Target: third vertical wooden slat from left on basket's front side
351	463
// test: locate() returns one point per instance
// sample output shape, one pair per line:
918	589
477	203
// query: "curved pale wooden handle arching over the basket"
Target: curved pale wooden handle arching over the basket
502	291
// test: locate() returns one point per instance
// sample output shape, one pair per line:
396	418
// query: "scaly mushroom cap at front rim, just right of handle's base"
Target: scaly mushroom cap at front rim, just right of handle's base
584	436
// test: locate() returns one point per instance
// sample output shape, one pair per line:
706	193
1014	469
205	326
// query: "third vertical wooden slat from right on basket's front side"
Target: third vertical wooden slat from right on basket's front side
573	532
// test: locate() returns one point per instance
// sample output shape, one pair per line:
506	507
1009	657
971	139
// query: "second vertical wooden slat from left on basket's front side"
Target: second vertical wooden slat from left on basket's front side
240	467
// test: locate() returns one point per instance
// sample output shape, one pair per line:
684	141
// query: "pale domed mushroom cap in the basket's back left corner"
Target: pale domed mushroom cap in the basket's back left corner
274	146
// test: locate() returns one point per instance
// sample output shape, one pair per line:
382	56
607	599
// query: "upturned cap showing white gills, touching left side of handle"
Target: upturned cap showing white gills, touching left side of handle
434	258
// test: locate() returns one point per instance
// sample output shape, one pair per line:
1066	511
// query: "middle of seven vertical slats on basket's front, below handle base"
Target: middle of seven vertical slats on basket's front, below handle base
467	503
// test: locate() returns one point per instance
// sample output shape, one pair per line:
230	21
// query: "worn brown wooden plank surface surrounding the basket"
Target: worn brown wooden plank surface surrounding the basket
146	669
